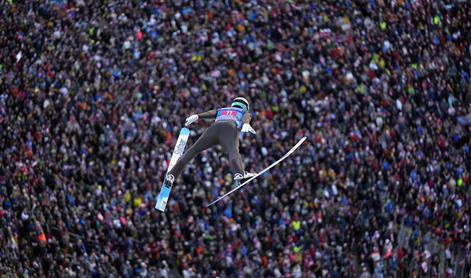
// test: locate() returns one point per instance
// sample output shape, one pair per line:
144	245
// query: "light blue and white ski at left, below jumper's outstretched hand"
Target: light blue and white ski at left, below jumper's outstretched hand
177	153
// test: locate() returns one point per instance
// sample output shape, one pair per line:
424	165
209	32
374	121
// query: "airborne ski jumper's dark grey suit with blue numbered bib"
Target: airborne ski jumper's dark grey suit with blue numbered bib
224	131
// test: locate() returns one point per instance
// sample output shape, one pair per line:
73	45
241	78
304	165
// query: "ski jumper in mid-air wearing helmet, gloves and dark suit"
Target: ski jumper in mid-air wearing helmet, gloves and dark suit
229	122
